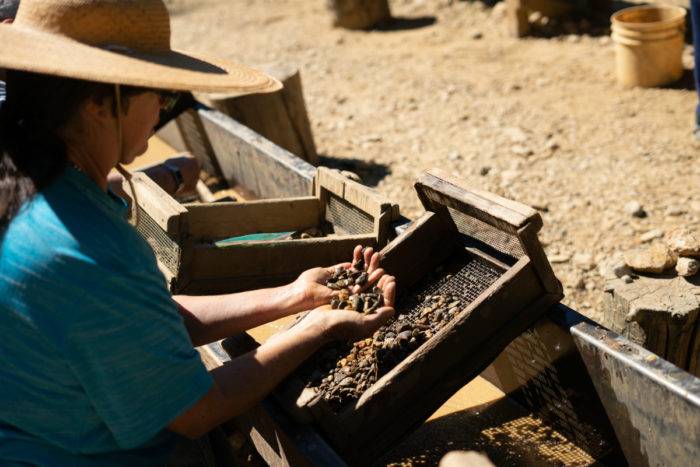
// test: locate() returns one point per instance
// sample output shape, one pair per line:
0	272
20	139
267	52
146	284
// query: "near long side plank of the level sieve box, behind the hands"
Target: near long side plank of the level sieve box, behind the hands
249	259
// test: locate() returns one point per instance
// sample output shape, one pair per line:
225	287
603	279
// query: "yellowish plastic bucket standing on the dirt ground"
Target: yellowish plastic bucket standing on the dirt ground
649	44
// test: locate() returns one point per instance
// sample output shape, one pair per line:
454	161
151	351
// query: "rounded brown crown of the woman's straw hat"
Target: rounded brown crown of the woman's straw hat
139	25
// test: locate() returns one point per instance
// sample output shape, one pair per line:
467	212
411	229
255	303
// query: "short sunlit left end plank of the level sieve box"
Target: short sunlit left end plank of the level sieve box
162	207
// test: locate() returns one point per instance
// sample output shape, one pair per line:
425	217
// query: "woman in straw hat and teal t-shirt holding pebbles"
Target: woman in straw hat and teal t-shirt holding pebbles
98	359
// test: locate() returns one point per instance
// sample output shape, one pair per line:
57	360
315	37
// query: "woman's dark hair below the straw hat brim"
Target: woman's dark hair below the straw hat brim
32	154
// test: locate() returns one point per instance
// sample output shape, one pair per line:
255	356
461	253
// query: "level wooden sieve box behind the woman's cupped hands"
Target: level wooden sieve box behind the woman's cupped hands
187	237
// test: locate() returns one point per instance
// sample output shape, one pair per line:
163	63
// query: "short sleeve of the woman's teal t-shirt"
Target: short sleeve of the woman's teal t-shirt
129	349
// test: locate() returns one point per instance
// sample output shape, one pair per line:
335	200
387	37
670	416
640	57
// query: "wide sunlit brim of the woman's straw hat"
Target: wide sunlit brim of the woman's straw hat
37	51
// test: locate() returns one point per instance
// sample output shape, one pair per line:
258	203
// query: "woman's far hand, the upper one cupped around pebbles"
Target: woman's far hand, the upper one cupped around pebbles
311	287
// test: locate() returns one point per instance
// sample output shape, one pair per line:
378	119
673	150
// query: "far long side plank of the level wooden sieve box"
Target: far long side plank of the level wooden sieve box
222	220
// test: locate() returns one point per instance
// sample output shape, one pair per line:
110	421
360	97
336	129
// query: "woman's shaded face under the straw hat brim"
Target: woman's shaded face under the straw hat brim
138	124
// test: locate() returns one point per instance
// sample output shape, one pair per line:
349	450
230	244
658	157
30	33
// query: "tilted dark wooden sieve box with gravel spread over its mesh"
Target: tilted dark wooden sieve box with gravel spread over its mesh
496	266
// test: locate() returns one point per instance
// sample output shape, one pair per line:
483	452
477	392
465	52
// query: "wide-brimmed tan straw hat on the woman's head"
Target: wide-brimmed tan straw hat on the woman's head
116	41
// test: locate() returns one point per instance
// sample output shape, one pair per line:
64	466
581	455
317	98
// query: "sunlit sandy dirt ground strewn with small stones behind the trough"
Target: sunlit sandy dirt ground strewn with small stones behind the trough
539	120
